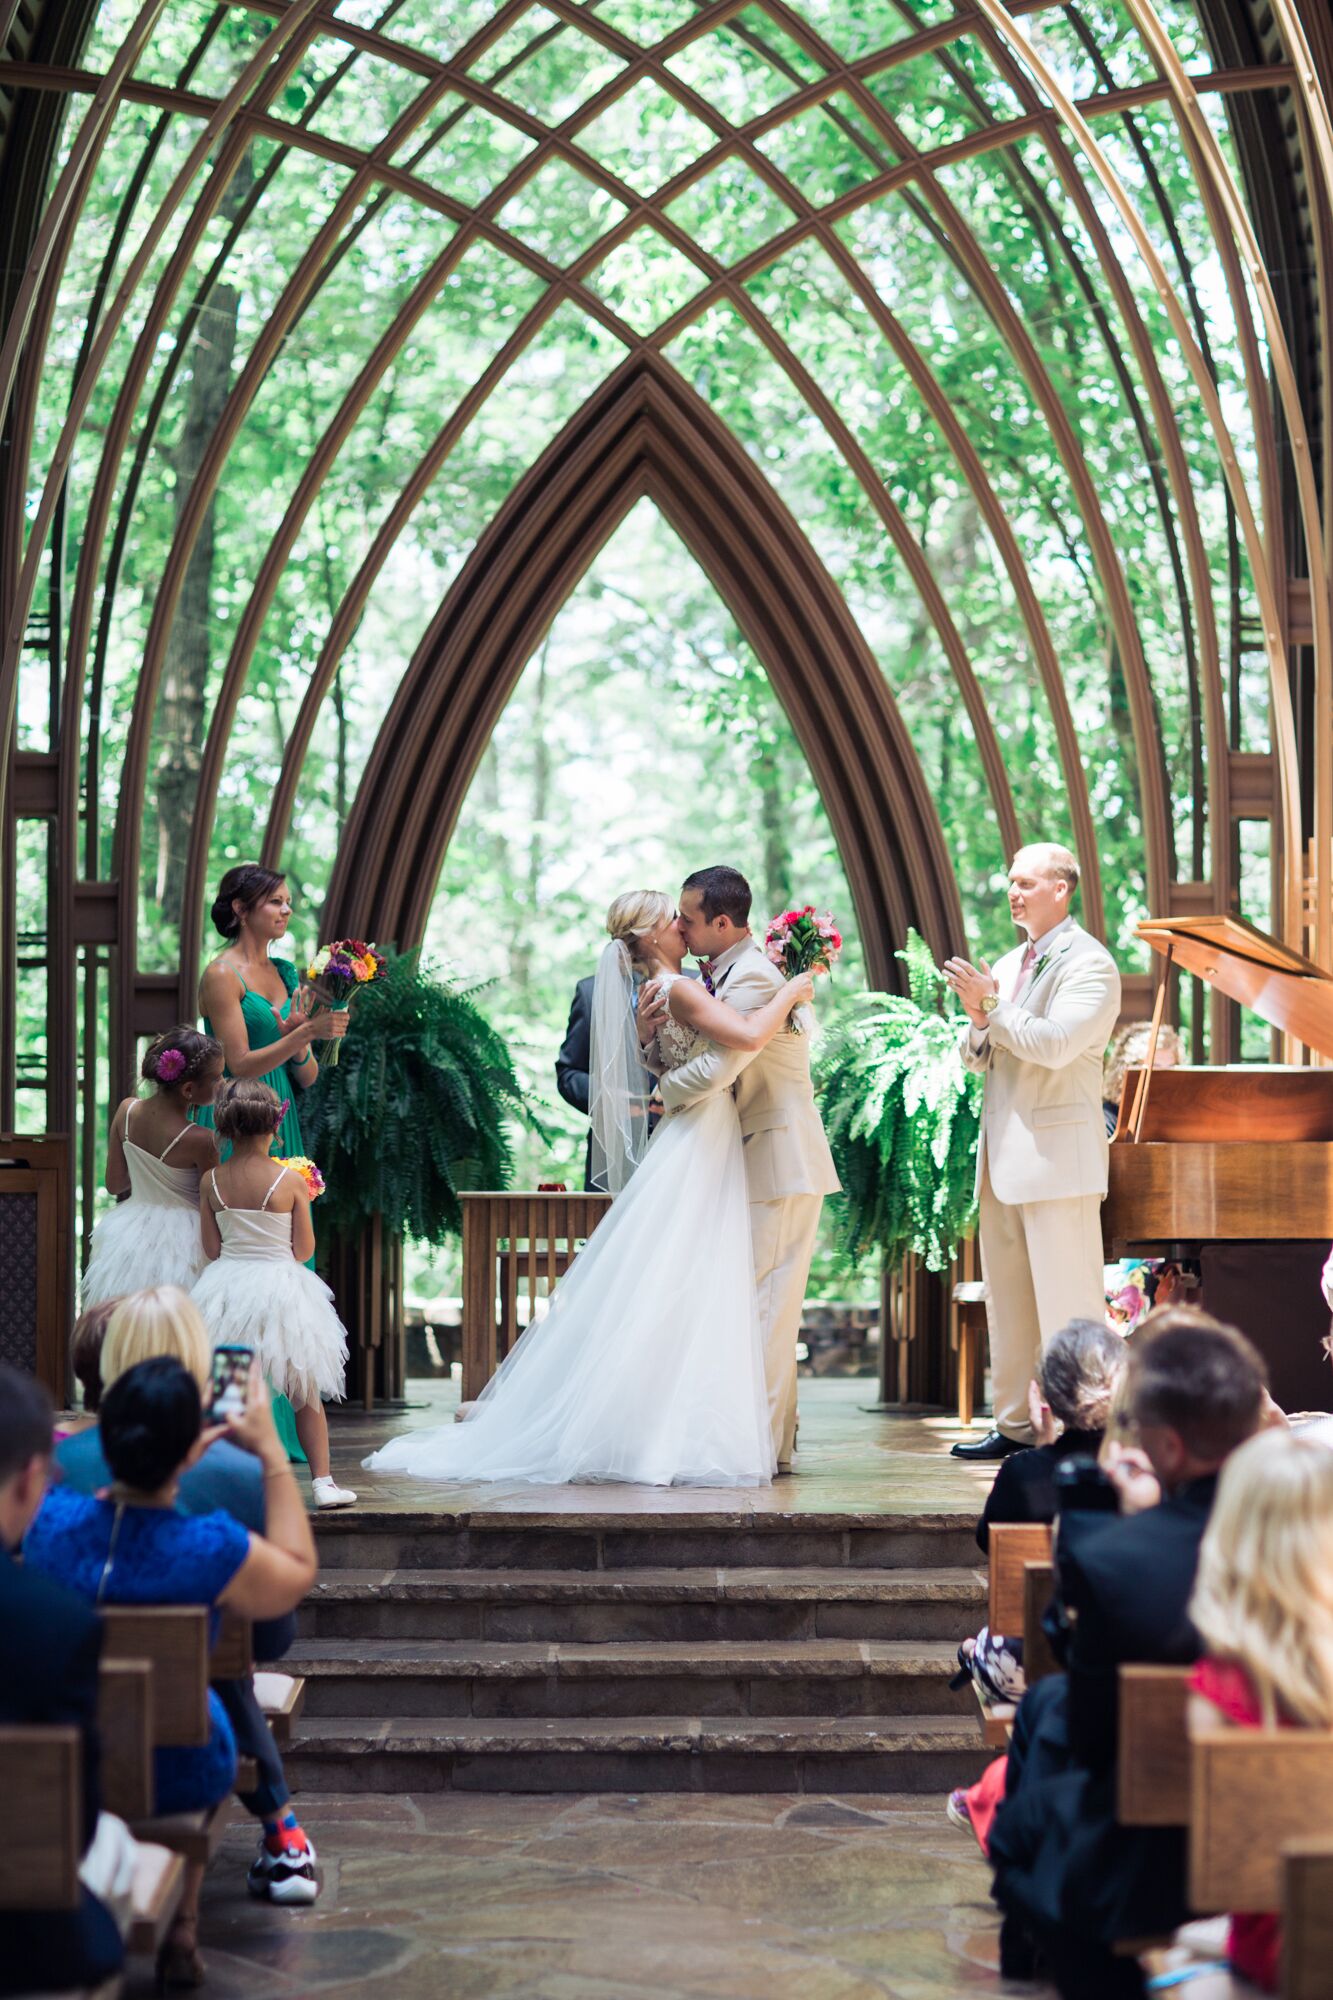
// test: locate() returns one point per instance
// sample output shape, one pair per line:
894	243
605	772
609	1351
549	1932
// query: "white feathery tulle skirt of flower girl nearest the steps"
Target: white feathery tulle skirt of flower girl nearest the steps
287	1315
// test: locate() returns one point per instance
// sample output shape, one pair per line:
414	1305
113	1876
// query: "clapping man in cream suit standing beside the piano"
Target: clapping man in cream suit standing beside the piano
1040	1027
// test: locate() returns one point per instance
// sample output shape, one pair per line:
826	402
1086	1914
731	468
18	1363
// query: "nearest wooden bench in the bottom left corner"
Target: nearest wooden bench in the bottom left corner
41	1781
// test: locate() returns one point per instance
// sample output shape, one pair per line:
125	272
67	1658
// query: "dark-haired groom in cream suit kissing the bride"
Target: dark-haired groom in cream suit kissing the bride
788	1161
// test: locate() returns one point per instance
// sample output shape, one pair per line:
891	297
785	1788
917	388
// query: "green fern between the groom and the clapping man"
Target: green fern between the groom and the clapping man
902	1117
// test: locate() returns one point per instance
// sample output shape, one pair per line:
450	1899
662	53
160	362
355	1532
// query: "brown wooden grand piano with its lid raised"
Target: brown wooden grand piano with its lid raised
1234	1167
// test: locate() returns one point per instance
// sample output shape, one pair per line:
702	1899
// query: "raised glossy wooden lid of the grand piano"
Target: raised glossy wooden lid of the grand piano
1278	985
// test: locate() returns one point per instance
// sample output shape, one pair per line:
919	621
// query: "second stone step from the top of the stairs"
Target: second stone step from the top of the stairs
794	1603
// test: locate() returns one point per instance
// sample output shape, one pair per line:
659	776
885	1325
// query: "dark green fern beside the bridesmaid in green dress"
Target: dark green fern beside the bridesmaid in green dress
415	1113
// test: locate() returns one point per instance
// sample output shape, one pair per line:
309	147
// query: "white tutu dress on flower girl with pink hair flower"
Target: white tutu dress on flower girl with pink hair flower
155	1237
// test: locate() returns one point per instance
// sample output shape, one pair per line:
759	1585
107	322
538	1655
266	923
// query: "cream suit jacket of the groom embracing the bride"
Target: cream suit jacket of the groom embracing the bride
786	1147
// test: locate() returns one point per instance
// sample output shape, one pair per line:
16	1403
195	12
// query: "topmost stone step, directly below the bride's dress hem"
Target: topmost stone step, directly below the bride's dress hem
657	1541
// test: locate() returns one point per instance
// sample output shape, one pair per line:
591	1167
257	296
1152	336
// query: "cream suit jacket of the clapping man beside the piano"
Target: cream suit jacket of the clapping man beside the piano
1044	1135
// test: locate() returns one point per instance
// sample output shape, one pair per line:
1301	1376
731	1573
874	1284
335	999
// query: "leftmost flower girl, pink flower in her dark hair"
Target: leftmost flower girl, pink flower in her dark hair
157	1155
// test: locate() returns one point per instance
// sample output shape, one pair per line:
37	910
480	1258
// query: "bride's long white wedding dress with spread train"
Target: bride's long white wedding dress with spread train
647	1367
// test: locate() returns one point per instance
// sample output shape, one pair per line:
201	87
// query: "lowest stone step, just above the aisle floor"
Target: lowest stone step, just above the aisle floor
637	1755
